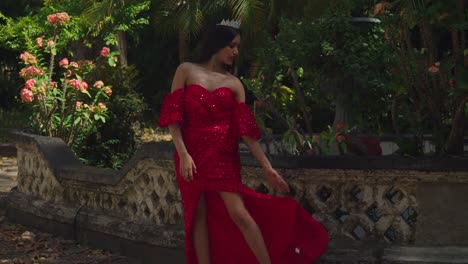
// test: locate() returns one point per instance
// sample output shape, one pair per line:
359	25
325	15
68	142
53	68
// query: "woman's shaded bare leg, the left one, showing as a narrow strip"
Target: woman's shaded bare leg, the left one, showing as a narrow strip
200	233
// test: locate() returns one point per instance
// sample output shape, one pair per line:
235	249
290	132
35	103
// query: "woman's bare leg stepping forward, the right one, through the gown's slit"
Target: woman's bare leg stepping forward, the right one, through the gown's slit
248	227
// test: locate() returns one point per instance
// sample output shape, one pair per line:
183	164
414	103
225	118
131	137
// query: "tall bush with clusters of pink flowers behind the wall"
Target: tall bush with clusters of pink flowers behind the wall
65	106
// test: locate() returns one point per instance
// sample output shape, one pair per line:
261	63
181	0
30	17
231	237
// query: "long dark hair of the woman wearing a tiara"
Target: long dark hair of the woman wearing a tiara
215	39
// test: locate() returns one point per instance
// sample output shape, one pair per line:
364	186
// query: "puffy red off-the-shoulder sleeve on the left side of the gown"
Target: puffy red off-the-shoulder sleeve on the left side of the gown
172	108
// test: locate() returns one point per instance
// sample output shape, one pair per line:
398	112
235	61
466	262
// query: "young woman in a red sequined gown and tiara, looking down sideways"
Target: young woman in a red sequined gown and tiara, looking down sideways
225	221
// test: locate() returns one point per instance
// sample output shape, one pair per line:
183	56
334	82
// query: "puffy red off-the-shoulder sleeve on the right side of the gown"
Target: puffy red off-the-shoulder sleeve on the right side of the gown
243	122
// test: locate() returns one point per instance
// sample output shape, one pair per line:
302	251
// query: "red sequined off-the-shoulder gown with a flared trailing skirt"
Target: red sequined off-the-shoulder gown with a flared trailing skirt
211	123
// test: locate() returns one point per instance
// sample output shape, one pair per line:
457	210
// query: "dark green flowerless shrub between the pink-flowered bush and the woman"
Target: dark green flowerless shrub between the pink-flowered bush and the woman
112	143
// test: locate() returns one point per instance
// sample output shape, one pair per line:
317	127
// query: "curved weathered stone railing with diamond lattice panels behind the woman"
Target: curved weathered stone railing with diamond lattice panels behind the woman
375	208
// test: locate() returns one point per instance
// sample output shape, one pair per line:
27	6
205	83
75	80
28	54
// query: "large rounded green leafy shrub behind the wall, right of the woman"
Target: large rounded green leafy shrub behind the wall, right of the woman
311	64
